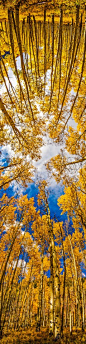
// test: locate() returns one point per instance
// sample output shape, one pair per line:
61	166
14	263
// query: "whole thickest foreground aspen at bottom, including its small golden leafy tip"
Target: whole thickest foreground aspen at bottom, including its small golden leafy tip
54	328
